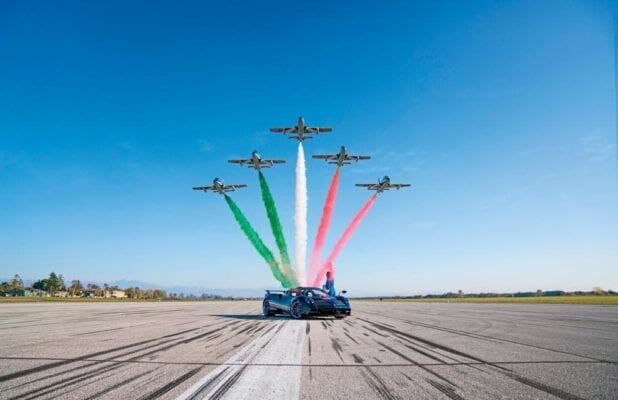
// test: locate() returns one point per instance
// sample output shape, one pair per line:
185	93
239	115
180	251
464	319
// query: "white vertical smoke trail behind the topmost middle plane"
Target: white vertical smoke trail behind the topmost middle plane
300	216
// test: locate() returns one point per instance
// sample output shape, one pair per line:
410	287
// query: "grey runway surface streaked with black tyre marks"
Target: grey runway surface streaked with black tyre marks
383	351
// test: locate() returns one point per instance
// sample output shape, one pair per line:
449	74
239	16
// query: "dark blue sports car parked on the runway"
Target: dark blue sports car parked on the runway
304	302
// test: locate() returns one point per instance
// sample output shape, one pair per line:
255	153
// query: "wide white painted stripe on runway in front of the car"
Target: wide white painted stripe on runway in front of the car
282	345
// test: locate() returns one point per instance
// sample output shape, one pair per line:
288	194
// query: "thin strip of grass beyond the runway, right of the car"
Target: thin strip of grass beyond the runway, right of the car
601	300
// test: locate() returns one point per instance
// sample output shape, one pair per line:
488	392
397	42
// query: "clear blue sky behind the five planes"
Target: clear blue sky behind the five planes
501	114
